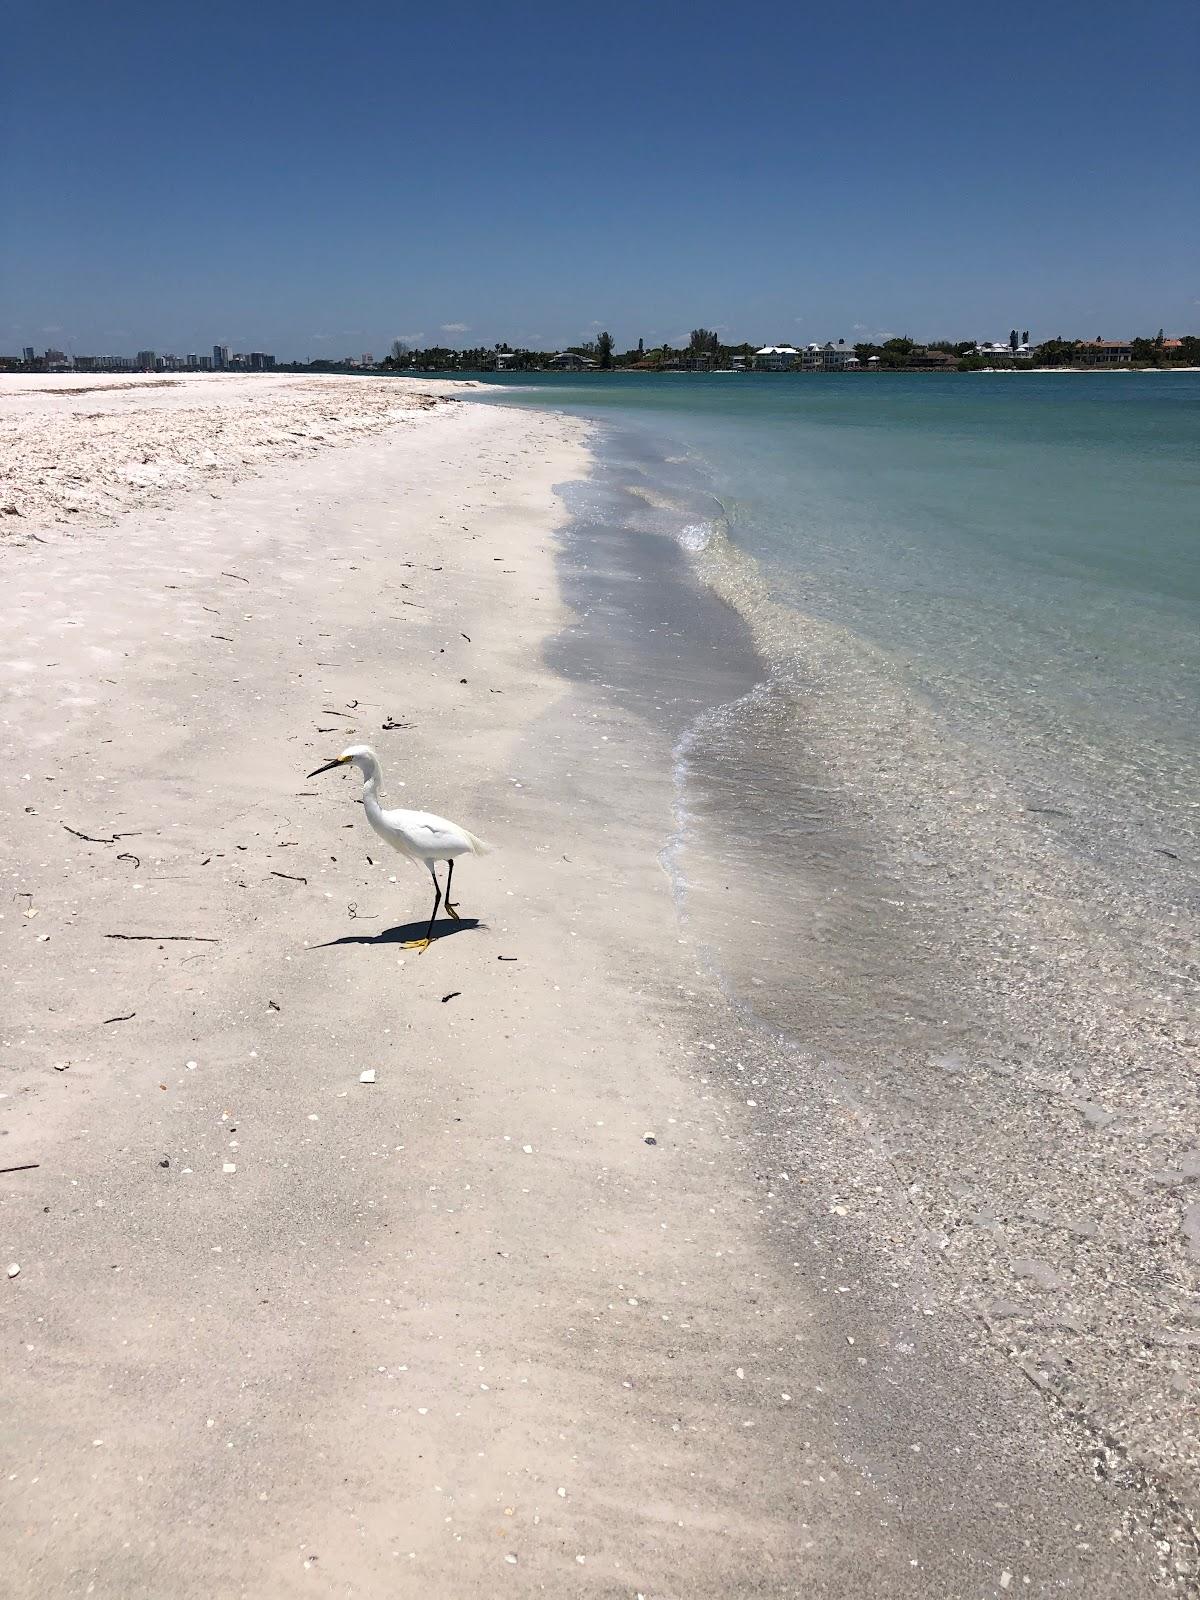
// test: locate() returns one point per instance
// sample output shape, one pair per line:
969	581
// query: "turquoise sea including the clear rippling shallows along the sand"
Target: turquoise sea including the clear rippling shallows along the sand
940	854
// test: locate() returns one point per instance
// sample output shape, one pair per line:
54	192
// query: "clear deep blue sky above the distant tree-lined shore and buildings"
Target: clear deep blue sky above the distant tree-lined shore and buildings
318	180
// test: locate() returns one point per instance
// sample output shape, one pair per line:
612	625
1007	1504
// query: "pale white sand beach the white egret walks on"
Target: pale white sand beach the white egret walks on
527	1314
